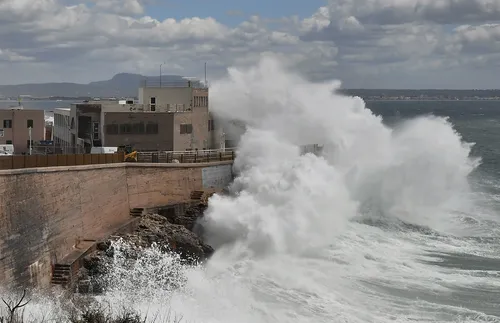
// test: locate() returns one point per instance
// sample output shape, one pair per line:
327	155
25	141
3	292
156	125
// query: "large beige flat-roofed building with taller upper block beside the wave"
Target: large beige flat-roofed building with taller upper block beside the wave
167	117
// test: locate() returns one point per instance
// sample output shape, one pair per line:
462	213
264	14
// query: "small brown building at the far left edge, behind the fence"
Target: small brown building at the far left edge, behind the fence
15	124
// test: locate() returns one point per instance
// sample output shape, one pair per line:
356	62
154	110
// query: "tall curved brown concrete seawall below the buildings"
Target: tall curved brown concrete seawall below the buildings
48	213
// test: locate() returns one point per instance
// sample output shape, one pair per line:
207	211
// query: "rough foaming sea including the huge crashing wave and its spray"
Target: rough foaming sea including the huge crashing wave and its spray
397	221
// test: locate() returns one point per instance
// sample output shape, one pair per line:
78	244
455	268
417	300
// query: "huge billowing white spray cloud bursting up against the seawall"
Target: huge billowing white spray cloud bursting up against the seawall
287	202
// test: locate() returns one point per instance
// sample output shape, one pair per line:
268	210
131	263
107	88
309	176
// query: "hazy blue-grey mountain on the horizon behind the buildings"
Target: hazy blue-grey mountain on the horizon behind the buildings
121	85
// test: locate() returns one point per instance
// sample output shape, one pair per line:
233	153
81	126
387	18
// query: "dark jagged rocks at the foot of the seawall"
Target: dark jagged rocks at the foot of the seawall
171	233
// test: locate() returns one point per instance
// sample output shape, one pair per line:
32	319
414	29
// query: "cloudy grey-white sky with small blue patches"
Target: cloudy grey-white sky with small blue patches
364	43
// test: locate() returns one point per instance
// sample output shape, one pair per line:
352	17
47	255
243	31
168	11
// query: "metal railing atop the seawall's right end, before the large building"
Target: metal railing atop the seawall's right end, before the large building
190	156
